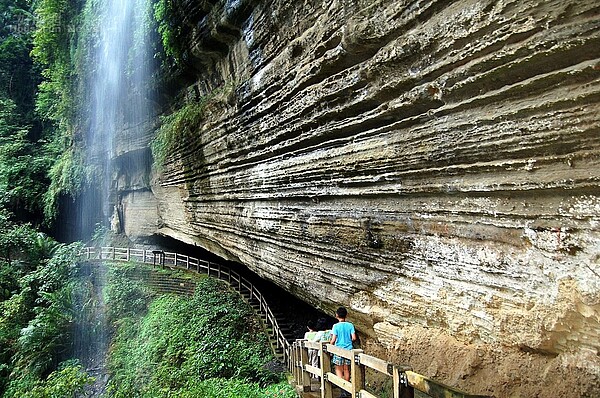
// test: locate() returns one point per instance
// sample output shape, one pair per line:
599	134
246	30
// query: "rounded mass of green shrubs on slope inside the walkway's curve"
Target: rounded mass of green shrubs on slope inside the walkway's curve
182	345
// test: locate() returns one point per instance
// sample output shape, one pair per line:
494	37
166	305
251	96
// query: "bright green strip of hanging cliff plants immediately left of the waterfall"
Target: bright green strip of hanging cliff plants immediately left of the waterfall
55	48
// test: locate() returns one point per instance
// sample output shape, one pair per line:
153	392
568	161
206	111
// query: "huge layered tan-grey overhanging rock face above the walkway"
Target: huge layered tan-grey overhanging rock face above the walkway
434	166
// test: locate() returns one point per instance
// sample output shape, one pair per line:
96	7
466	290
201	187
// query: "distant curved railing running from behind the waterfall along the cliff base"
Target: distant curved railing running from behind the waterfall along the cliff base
159	258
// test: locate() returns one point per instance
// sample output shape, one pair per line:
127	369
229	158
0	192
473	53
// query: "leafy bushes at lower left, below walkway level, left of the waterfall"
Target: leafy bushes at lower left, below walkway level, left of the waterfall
36	307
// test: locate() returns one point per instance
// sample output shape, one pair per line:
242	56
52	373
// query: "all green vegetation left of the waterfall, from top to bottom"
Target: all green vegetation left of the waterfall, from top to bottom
36	272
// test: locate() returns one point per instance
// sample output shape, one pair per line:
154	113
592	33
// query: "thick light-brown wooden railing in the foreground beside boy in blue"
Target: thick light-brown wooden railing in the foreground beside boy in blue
404	380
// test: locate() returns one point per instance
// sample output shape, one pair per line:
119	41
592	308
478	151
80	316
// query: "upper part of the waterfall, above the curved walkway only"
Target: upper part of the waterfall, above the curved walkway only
121	67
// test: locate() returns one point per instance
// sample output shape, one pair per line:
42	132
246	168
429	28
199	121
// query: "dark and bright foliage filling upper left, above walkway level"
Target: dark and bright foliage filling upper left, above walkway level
25	155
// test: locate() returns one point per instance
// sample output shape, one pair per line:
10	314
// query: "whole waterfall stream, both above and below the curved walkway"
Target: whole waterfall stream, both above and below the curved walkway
118	102
